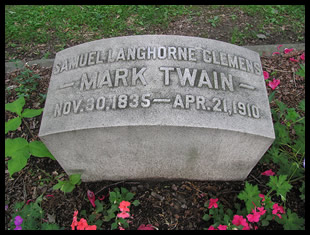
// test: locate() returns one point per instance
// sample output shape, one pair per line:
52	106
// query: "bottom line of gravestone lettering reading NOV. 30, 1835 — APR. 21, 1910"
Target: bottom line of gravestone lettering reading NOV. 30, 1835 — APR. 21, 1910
123	101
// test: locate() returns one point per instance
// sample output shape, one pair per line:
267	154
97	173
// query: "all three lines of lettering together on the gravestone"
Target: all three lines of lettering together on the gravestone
183	77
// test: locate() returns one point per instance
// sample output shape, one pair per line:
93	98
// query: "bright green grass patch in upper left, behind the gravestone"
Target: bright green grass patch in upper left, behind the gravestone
40	24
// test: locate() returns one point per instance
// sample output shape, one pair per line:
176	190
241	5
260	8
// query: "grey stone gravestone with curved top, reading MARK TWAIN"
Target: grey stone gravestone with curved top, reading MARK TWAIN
157	107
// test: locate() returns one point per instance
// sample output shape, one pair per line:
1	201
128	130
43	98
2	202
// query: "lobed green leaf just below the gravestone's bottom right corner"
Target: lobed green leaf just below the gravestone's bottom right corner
250	195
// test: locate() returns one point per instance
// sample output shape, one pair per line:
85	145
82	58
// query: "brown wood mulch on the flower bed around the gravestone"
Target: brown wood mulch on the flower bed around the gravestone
168	205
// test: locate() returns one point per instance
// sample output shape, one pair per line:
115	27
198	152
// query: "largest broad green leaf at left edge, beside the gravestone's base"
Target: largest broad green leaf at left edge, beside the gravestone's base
18	150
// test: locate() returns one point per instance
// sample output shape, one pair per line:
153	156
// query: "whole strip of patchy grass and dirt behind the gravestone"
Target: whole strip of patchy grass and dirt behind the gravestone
39	30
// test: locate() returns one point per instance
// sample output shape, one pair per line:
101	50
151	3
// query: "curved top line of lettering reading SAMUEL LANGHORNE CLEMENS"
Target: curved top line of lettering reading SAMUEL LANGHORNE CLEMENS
158	53
